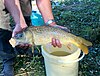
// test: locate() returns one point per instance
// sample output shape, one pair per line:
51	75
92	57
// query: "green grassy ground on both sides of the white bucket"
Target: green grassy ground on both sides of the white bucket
82	17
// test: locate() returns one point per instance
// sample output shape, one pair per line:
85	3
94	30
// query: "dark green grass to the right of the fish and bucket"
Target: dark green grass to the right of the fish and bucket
83	19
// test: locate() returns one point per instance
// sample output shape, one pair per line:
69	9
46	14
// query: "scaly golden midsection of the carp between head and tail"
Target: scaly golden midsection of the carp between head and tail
44	34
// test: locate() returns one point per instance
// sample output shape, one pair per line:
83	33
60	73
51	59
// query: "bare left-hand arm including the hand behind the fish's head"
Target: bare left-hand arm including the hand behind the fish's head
13	7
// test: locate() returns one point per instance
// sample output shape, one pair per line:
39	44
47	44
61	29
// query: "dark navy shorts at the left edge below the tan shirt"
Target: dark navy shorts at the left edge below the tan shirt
6	50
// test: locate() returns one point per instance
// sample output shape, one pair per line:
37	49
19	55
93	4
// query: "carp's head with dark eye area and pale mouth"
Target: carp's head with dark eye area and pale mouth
21	38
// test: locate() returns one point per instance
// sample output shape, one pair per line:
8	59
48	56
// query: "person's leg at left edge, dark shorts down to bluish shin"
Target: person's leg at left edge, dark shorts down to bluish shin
7	53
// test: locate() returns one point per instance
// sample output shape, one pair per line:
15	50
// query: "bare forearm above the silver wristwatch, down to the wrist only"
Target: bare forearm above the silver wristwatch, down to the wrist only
45	9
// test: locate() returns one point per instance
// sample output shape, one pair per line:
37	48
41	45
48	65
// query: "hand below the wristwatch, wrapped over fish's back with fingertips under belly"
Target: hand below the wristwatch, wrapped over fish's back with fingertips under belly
56	42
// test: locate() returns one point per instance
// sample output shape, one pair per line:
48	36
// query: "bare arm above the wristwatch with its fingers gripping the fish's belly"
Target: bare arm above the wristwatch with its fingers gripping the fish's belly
46	11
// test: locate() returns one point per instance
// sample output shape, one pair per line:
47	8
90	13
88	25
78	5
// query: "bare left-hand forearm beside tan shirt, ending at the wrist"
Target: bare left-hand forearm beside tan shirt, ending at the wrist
13	7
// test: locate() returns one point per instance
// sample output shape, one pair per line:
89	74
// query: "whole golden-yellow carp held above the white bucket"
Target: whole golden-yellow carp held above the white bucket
40	35
